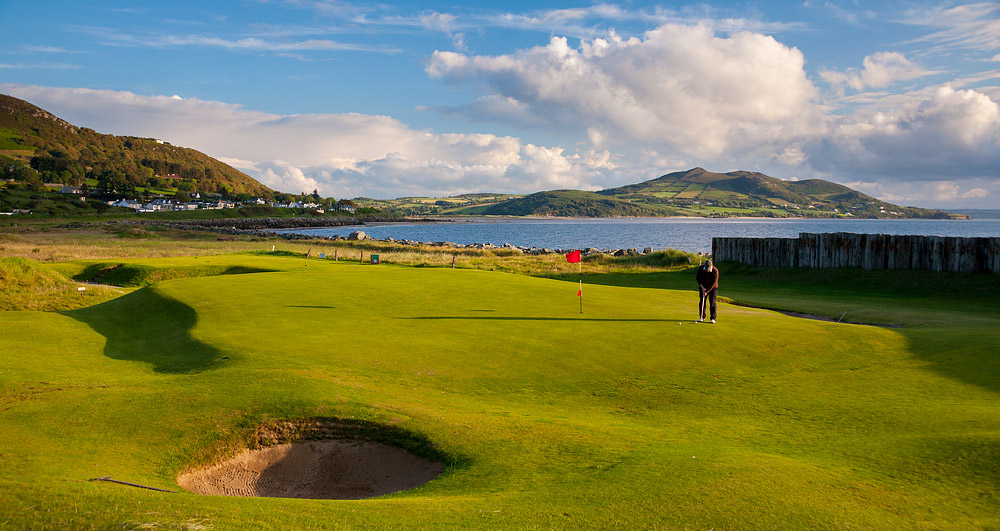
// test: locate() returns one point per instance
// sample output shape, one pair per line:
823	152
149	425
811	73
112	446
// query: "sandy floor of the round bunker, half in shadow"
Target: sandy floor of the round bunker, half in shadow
328	470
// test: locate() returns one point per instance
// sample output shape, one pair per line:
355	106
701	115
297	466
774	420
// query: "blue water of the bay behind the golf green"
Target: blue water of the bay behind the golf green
686	234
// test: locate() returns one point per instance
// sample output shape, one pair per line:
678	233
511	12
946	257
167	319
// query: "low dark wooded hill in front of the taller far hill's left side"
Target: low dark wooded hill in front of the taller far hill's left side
572	203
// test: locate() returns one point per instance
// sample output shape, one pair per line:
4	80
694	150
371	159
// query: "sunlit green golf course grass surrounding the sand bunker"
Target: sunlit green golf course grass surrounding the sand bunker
628	415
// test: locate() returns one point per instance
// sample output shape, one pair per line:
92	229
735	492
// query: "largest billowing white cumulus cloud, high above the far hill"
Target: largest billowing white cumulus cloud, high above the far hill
682	86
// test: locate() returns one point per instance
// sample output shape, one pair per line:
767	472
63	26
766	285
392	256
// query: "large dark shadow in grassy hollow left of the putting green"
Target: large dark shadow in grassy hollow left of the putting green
149	327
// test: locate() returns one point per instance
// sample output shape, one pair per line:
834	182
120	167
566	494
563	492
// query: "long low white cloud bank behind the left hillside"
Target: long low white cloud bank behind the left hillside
343	155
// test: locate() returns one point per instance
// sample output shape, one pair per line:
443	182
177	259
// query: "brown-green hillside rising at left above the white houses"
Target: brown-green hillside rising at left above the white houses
64	153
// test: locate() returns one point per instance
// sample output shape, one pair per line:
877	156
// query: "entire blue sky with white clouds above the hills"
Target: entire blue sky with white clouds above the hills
899	99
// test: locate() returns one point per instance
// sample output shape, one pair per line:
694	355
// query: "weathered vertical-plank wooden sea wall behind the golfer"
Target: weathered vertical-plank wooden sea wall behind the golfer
865	251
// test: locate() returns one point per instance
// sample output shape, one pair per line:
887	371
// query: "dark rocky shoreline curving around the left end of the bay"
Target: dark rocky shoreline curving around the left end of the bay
268	228
